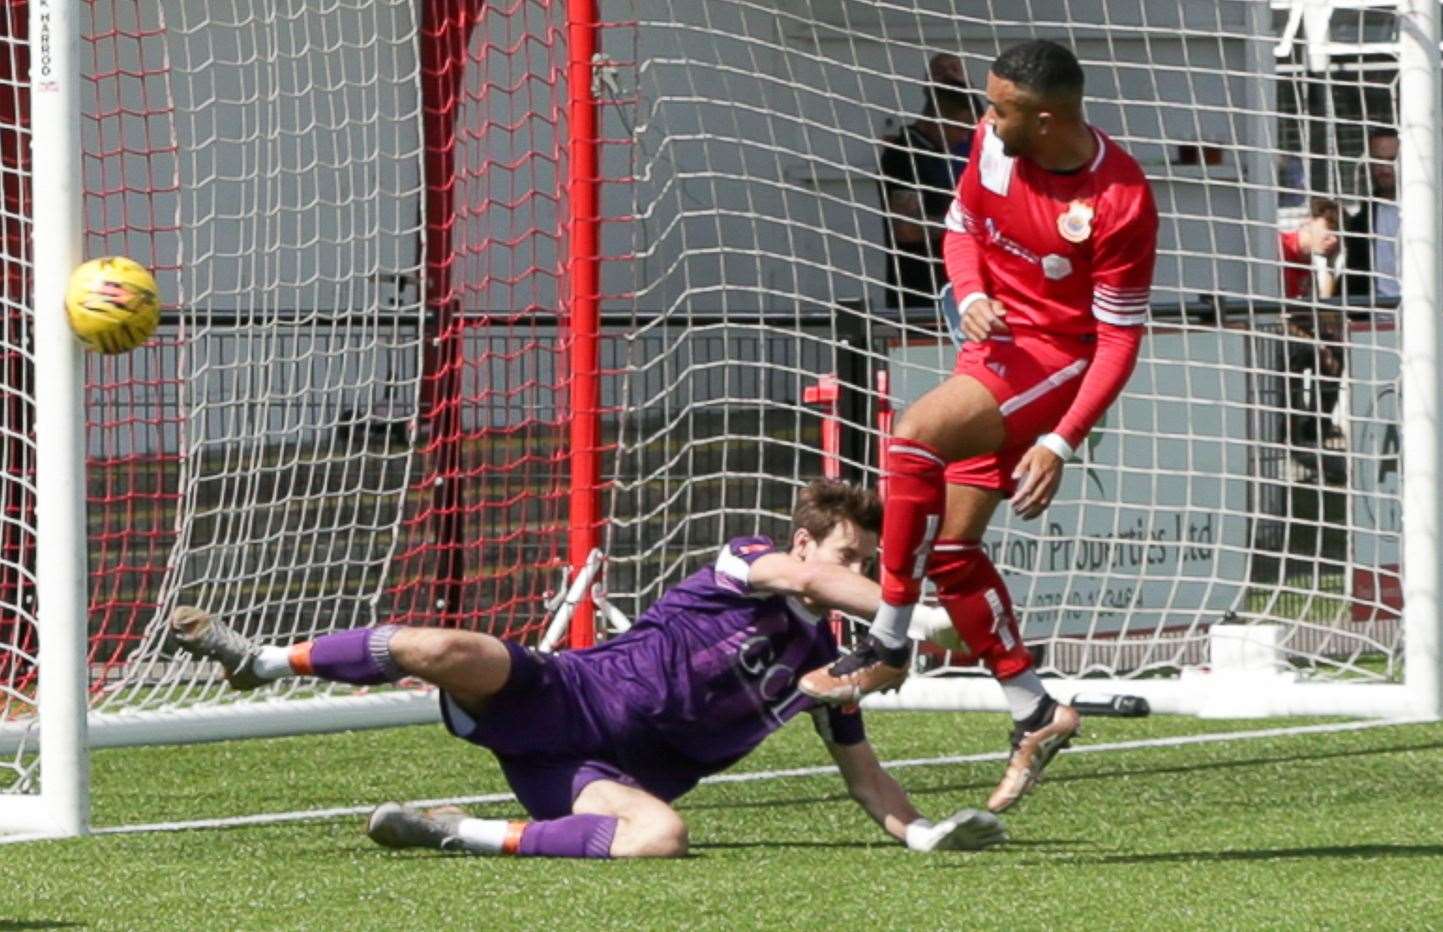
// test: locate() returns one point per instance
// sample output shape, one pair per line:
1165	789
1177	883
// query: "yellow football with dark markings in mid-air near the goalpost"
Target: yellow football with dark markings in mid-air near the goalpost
113	304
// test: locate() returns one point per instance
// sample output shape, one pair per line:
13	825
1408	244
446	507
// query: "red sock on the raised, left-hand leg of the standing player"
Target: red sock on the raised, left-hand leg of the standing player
917	496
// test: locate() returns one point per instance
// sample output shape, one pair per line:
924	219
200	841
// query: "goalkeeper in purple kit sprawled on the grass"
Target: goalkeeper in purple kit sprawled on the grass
598	744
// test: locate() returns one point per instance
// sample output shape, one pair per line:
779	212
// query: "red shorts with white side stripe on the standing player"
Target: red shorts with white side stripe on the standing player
1034	382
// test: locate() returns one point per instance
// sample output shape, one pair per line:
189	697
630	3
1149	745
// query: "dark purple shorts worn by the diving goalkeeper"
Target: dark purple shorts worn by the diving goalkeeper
543	738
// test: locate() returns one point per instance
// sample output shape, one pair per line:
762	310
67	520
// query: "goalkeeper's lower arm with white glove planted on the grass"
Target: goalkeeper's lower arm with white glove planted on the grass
888	806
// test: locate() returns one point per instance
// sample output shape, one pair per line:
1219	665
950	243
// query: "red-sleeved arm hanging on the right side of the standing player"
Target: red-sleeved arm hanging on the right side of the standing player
1125	255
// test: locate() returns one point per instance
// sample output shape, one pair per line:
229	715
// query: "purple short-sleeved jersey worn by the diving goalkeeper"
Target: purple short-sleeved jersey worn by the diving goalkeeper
706	673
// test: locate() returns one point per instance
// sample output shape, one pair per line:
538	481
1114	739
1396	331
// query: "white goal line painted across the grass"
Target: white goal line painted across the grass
311	816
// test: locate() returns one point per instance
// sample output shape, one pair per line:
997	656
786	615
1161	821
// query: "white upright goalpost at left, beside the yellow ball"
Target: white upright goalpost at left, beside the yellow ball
61	807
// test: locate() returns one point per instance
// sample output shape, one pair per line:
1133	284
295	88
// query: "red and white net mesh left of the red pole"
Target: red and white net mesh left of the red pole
357	402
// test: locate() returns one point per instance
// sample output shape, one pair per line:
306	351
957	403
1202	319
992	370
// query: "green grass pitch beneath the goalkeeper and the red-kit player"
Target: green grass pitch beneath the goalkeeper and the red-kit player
1302	832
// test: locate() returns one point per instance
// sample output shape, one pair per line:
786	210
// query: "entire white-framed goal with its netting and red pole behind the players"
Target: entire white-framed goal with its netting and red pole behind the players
460	292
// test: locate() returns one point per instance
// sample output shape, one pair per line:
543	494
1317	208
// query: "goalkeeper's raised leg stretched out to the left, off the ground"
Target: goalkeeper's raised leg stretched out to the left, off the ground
468	667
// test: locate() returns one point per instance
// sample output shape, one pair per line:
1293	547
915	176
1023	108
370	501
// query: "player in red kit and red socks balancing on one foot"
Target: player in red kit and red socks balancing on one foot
1051	247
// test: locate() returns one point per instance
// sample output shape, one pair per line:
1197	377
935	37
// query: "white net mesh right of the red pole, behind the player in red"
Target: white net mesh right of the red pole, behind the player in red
1245	477
